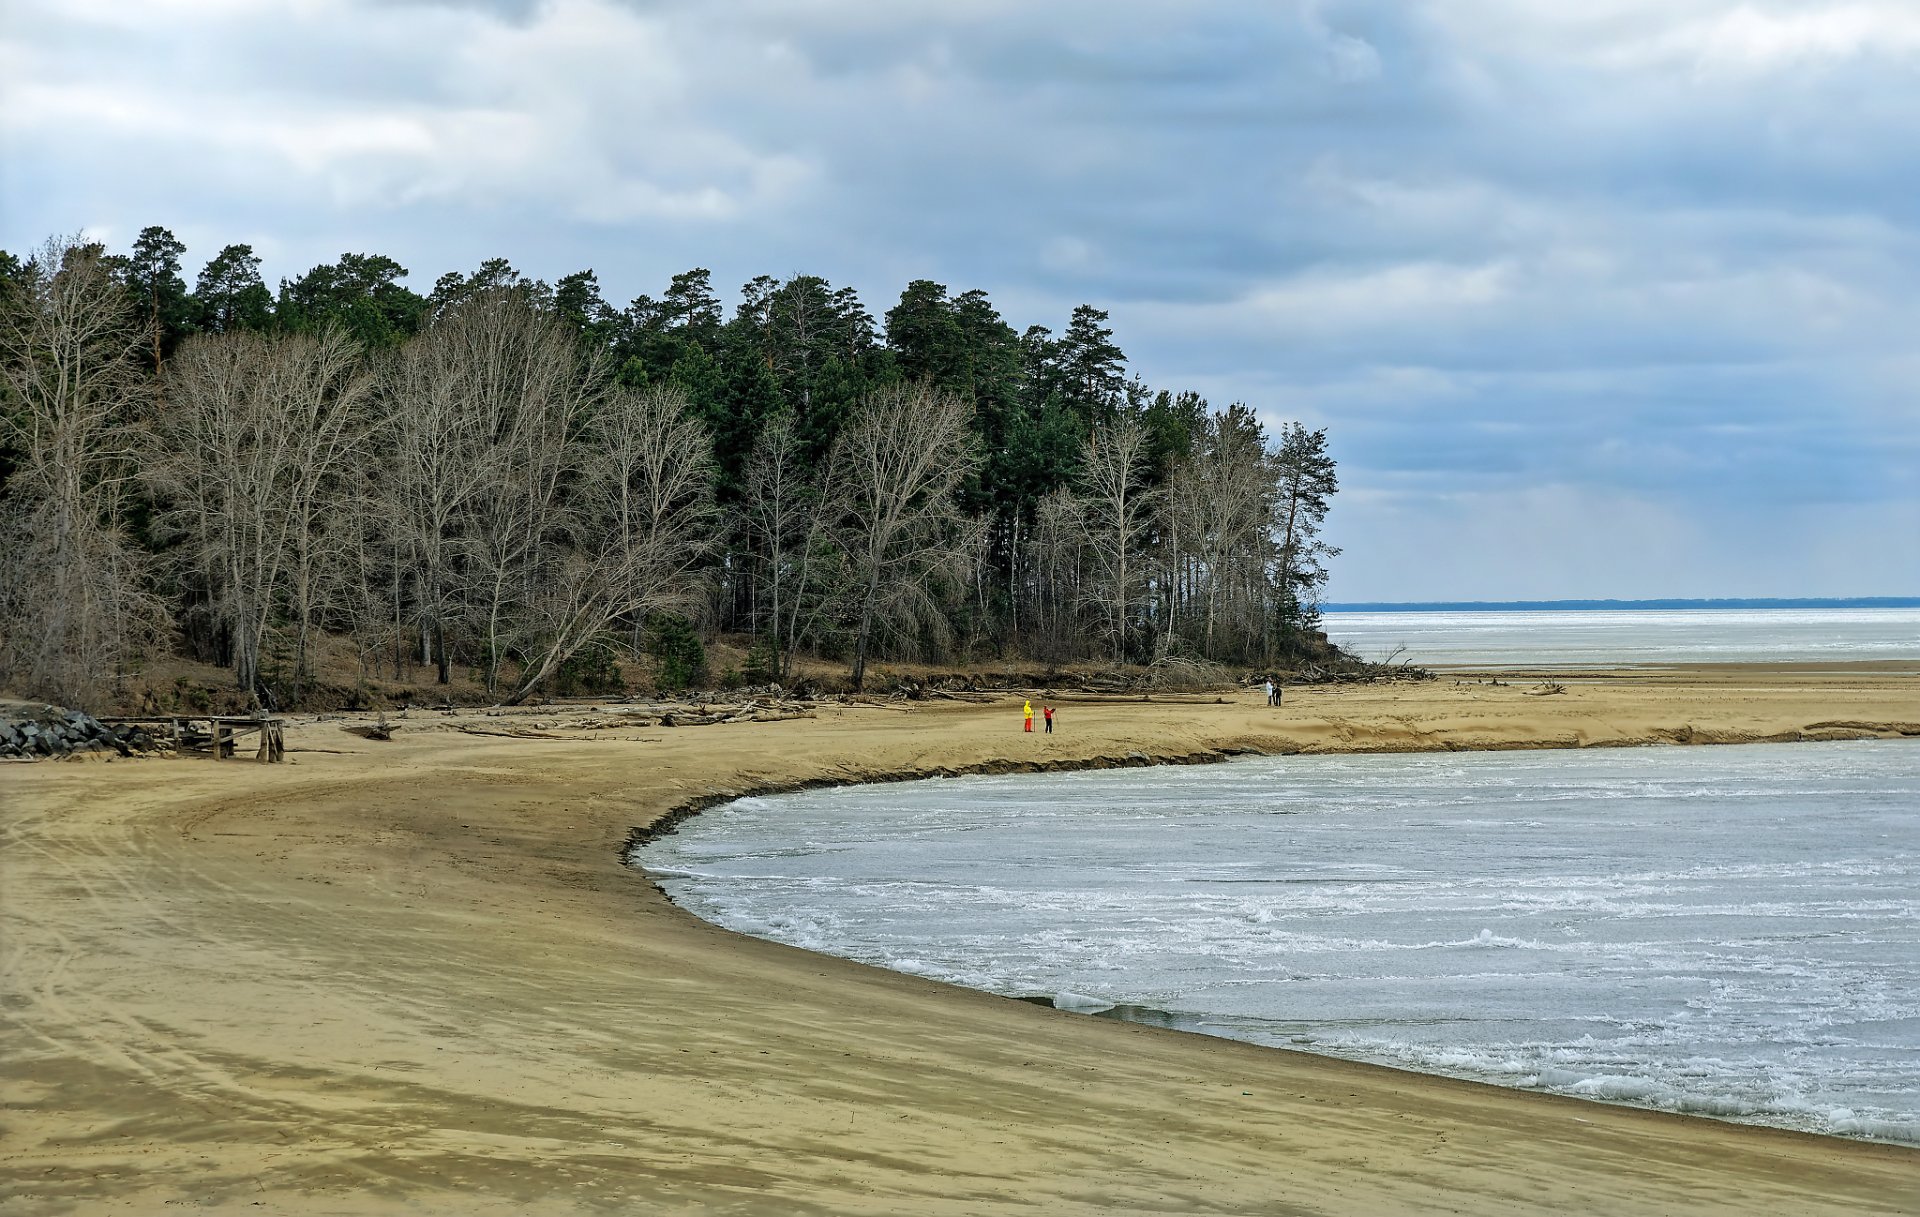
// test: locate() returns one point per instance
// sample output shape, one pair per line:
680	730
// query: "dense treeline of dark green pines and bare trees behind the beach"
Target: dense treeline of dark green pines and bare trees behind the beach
521	483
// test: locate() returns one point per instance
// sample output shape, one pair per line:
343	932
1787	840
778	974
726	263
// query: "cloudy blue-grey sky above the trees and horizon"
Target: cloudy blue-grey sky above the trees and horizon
1602	298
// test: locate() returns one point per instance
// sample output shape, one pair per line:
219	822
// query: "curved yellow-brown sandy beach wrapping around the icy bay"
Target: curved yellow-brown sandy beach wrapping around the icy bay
416	978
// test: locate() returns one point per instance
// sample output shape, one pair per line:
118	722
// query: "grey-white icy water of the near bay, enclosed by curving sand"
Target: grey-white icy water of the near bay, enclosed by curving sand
1717	930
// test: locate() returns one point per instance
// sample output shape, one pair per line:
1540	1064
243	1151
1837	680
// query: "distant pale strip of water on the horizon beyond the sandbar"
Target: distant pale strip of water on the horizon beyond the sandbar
1627	638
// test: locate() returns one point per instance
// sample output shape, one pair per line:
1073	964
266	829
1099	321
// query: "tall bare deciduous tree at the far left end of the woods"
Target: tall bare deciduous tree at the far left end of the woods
74	604
